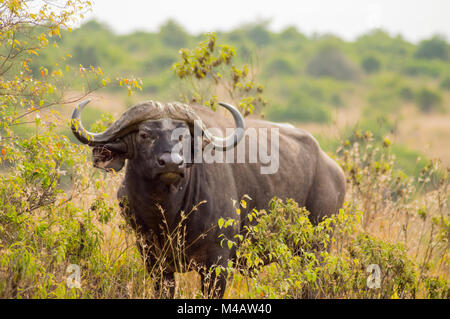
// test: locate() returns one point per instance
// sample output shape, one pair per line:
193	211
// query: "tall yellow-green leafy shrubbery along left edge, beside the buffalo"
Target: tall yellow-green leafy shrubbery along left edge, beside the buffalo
44	226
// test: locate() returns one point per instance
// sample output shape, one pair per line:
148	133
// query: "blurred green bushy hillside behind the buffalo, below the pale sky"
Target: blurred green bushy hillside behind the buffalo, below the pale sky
305	78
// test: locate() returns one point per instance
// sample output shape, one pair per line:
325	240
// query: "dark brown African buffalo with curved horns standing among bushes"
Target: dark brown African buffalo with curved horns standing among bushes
159	179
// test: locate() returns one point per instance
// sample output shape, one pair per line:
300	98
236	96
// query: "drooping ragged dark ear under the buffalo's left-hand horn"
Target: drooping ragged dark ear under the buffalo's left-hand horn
110	156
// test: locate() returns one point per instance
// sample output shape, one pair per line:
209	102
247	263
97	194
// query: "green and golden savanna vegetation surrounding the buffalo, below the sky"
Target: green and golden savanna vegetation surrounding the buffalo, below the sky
380	106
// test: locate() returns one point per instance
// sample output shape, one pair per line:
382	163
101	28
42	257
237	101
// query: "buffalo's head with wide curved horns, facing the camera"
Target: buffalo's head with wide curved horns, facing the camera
153	137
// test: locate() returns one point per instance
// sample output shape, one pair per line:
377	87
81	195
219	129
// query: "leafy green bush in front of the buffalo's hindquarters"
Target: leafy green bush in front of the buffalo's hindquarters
303	269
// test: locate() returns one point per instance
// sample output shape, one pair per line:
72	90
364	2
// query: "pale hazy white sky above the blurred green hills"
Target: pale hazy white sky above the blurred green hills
414	19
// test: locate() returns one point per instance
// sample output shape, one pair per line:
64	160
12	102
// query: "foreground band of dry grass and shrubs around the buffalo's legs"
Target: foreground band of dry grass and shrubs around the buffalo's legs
391	220
